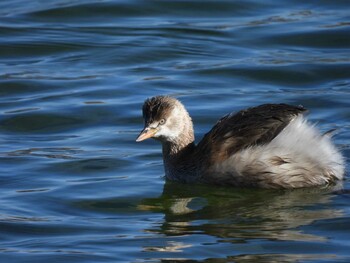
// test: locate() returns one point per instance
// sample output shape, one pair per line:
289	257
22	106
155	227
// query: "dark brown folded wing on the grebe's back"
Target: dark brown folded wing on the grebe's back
237	131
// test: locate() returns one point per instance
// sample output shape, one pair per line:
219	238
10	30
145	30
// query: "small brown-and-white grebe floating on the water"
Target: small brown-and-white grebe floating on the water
267	146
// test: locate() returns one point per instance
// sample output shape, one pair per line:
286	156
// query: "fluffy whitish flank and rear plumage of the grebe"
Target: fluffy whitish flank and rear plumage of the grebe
299	156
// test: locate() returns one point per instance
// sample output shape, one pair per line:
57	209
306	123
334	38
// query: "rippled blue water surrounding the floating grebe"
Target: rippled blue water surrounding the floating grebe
75	186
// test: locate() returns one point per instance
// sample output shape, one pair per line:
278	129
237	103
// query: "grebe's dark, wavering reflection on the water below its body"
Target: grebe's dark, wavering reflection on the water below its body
236	215
